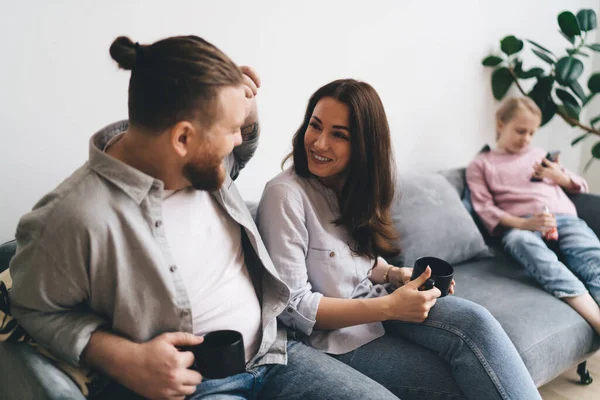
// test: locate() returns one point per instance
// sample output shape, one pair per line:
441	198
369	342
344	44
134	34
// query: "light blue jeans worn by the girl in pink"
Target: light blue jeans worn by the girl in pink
579	247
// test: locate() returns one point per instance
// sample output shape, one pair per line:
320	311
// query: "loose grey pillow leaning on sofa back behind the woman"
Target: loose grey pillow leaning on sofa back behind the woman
431	221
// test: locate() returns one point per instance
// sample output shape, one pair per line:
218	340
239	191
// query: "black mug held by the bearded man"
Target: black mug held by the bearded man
220	355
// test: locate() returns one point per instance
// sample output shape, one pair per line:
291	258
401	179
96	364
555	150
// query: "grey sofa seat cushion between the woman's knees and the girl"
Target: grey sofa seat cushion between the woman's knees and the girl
549	335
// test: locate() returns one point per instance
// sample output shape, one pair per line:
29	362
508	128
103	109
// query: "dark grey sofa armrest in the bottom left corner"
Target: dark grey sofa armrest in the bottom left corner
28	375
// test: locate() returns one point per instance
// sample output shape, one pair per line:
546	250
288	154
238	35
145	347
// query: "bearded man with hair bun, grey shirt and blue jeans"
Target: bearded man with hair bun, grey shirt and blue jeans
149	245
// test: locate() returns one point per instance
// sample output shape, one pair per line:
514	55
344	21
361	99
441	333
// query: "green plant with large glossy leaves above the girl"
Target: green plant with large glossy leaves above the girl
557	90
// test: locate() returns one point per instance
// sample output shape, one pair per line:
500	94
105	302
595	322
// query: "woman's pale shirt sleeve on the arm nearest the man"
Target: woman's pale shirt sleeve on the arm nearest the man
282	225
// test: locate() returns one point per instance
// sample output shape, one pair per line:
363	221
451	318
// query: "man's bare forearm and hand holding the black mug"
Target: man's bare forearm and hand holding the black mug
155	369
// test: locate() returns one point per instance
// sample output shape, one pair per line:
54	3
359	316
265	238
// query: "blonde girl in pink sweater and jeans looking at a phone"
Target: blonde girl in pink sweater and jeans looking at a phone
511	204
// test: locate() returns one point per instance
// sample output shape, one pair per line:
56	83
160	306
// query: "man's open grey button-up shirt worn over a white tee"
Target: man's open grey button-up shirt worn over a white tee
93	254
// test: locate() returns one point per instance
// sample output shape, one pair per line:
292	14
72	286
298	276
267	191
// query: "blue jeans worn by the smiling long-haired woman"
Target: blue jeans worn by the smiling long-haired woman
479	360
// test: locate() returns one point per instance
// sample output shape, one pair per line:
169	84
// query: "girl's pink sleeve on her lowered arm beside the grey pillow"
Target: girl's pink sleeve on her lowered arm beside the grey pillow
482	199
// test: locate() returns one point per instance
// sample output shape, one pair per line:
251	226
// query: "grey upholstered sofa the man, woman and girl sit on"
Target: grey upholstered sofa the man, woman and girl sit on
548	334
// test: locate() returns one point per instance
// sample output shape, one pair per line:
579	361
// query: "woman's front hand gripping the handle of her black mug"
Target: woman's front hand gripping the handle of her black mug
410	304
